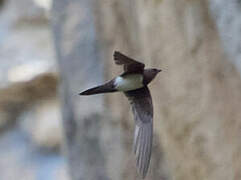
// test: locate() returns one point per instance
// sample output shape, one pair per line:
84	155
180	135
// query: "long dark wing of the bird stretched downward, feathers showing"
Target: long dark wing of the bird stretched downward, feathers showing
142	108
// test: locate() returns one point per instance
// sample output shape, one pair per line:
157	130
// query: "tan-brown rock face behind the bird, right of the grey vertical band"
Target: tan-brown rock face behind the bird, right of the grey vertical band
196	97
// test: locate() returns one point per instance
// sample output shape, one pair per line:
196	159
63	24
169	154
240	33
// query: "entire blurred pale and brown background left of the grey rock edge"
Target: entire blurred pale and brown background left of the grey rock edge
30	128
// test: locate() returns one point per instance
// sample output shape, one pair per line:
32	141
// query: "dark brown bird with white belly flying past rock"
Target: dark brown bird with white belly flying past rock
133	82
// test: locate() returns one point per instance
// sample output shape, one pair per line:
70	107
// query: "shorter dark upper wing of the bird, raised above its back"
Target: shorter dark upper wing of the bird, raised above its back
130	65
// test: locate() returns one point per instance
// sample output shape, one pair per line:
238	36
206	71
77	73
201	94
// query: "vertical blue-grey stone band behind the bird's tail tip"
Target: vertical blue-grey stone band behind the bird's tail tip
80	67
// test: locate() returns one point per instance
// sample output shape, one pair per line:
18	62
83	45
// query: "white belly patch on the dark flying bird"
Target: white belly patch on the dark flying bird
129	82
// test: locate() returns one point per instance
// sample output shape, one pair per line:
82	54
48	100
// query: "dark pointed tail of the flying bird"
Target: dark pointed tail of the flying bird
105	88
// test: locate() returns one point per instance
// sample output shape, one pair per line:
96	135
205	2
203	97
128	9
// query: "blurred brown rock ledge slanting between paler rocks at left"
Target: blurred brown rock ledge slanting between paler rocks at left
19	97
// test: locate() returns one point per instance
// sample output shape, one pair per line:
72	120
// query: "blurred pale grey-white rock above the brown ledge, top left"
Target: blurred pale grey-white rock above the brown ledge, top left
25	47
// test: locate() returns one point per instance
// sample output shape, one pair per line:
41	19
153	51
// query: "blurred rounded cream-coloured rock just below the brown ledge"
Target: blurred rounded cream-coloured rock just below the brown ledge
46	128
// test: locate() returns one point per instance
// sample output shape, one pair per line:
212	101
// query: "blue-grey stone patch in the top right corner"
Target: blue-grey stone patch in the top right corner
227	16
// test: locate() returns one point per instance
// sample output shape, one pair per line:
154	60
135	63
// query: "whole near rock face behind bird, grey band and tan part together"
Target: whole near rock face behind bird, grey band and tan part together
196	97
